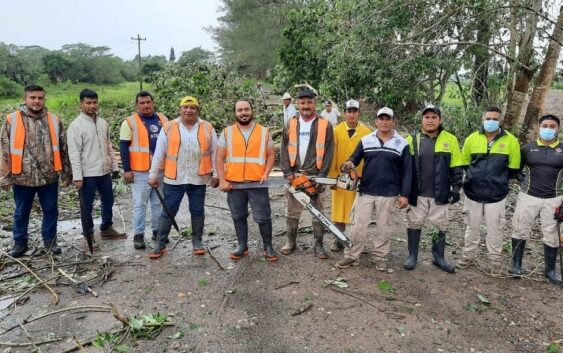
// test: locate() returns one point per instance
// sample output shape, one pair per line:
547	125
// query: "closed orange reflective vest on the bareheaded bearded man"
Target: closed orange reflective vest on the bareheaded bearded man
246	161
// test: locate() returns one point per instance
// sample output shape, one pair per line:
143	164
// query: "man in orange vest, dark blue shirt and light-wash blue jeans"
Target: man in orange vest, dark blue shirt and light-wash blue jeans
138	137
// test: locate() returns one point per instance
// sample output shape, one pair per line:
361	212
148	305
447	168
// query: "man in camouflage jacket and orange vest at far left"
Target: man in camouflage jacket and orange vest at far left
34	156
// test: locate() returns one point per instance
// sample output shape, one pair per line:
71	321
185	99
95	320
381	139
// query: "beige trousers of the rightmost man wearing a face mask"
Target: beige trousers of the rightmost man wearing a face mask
528	208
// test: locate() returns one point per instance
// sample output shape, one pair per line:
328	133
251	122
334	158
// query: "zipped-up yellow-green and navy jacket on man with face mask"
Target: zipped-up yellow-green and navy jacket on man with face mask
488	167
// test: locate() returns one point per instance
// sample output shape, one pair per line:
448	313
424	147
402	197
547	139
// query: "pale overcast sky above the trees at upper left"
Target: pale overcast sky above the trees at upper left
112	23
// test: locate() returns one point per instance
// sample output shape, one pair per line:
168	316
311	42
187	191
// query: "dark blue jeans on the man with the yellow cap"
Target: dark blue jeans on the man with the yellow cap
173	195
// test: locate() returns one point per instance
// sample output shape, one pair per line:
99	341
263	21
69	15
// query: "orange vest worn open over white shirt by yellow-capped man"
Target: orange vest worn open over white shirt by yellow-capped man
172	130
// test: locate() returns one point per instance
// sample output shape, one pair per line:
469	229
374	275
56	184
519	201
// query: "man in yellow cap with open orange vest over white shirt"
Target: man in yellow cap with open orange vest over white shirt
186	147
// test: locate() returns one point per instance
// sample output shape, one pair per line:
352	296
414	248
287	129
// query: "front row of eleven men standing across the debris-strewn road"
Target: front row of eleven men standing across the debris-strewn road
182	156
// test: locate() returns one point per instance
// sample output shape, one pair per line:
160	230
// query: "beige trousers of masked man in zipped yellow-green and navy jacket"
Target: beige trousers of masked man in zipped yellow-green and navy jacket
494	214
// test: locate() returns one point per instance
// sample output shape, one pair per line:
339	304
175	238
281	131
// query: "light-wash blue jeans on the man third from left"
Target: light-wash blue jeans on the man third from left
143	193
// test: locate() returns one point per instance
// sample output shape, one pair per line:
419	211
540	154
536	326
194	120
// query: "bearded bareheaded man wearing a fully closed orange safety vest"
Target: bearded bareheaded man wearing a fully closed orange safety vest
245	153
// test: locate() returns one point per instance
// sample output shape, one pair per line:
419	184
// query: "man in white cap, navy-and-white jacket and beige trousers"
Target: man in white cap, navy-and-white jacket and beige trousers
386	182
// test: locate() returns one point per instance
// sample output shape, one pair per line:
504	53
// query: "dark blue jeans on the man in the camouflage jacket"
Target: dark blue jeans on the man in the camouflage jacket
23	197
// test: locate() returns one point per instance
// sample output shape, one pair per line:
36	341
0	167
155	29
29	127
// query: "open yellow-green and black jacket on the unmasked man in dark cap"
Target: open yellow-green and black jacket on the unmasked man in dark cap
448	172
